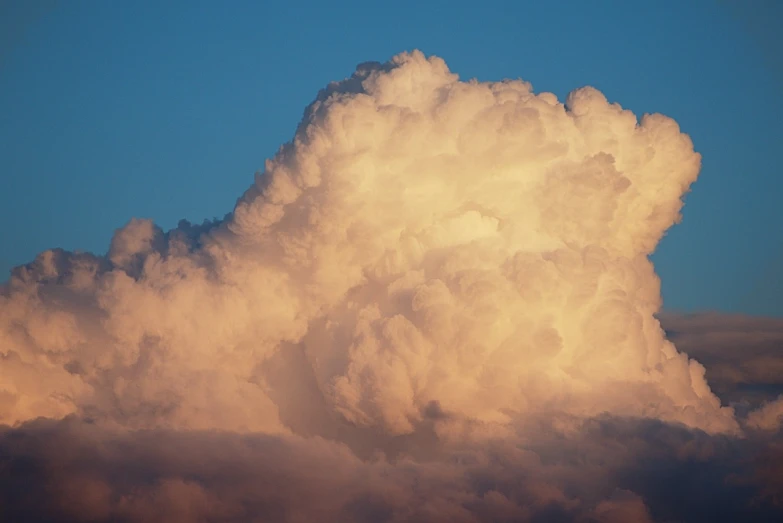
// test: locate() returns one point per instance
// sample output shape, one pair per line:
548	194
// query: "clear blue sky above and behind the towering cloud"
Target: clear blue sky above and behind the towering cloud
110	110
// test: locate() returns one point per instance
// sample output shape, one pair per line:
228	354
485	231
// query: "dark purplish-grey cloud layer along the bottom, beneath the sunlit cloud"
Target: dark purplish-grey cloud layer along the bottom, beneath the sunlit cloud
606	469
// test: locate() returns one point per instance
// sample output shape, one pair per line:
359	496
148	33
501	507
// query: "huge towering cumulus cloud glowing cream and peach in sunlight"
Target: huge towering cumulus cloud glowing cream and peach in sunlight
425	239
